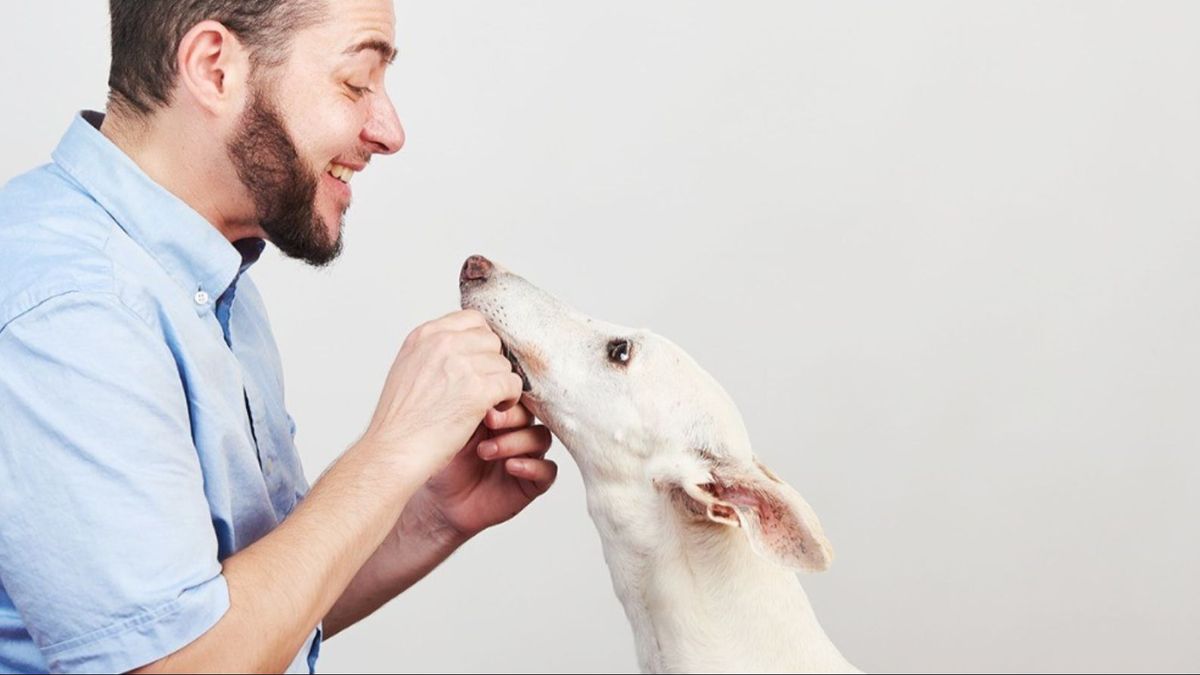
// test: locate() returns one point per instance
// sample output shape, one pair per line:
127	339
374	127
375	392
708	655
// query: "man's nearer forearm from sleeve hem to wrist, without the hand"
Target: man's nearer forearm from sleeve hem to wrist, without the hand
281	587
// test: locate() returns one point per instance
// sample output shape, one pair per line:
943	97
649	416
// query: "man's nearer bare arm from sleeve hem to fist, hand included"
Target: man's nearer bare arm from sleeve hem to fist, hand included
448	374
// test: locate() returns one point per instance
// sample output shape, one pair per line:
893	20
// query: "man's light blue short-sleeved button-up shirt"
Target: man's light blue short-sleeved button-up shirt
143	434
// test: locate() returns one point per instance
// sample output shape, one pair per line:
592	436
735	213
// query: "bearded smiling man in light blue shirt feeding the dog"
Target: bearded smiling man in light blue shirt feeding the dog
149	486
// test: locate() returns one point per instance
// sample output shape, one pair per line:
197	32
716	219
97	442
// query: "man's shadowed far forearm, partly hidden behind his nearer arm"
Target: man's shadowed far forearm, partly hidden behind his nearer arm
416	547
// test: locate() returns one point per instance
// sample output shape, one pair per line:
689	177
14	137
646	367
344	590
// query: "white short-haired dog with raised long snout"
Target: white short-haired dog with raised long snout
703	541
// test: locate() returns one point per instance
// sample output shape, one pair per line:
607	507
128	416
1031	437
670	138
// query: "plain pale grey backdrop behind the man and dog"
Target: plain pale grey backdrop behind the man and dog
946	256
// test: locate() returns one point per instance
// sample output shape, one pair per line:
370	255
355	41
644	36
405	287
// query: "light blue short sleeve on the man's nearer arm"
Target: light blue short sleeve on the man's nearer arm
107	547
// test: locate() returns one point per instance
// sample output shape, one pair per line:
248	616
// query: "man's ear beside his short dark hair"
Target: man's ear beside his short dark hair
213	68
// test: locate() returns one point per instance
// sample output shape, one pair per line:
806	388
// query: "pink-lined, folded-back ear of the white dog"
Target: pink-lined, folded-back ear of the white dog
781	525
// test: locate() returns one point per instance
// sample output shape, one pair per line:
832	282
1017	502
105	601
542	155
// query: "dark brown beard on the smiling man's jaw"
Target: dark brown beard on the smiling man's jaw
284	189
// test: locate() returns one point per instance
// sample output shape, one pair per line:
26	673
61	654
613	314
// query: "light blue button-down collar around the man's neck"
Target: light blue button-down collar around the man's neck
191	249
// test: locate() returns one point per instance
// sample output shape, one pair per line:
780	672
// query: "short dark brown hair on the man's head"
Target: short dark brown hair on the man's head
147	35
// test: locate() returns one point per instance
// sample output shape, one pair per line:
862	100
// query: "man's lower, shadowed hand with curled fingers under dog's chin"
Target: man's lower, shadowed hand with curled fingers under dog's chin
494	477
